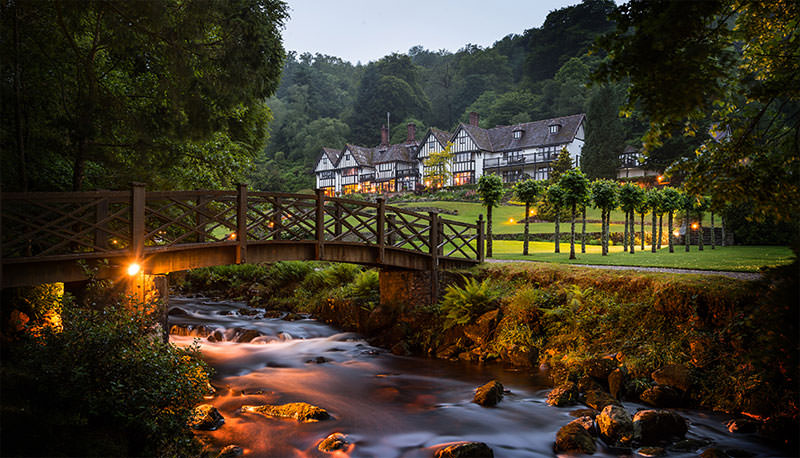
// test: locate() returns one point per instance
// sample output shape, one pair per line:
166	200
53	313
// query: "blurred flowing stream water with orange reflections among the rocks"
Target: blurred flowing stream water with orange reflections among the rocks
388	406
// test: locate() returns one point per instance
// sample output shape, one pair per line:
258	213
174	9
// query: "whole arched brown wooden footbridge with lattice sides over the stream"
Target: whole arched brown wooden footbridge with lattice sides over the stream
60	237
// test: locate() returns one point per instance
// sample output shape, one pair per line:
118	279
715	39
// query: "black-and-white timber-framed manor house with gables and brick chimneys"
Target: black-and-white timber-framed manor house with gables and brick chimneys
517	152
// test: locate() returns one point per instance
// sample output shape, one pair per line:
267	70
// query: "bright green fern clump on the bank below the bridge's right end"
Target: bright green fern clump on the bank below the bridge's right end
461	304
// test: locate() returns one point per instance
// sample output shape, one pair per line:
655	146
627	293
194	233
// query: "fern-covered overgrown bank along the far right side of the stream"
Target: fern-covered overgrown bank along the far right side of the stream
661	339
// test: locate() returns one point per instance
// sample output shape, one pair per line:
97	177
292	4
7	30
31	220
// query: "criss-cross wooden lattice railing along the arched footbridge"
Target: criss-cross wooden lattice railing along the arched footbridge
78	225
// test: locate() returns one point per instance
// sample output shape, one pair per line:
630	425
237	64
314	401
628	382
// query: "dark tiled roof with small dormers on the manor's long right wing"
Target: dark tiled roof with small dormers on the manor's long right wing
534	134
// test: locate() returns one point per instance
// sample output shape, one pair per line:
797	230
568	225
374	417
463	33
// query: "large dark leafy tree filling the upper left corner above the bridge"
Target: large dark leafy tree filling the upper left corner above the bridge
116	90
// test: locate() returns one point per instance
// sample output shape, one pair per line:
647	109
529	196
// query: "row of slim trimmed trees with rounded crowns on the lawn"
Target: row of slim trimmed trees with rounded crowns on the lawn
573	191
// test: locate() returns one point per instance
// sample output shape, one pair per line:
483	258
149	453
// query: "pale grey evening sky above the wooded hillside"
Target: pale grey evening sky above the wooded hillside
366	30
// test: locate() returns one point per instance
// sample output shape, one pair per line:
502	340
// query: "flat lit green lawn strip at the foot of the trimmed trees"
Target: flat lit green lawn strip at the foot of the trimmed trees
735	258
